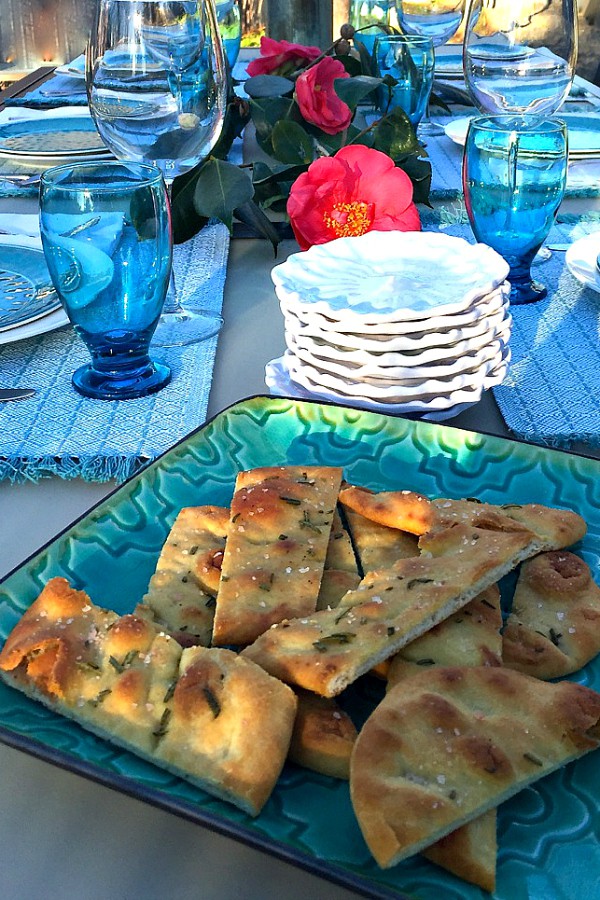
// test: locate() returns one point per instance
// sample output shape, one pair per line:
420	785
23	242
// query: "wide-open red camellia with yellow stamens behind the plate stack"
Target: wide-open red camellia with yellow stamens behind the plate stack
345	195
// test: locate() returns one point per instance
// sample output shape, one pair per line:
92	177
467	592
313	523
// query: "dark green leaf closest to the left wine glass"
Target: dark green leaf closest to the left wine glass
220	188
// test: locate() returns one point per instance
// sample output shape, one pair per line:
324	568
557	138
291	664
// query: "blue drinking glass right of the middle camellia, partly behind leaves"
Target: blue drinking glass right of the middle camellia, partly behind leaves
409	60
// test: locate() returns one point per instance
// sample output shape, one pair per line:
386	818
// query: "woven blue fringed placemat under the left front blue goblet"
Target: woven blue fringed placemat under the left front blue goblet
58	432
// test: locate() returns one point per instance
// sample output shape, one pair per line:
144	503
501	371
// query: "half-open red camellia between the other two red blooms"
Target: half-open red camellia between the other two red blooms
317	99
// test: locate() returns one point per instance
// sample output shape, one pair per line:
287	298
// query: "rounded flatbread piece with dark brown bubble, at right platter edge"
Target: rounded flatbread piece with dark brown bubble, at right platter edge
554	626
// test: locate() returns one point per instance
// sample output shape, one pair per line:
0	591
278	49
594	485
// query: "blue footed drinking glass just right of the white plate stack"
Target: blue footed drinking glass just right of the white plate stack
514	176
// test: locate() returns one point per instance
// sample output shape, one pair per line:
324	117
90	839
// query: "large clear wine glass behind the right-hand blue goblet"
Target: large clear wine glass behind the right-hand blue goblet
520	57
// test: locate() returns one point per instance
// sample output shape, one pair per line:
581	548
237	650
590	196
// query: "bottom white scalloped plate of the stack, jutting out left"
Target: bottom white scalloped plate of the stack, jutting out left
281	384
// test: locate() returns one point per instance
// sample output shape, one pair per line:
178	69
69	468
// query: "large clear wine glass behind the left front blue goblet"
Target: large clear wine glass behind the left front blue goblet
157	89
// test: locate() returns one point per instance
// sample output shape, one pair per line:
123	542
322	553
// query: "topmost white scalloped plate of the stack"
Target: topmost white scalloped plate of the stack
390	275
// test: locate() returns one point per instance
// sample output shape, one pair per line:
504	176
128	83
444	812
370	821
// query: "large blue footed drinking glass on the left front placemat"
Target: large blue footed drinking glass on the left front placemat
106	236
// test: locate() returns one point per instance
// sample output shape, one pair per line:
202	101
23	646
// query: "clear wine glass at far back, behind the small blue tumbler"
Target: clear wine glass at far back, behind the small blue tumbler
436	19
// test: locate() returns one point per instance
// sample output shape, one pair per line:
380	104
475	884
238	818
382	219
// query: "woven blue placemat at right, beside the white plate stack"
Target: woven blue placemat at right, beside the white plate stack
551	394
